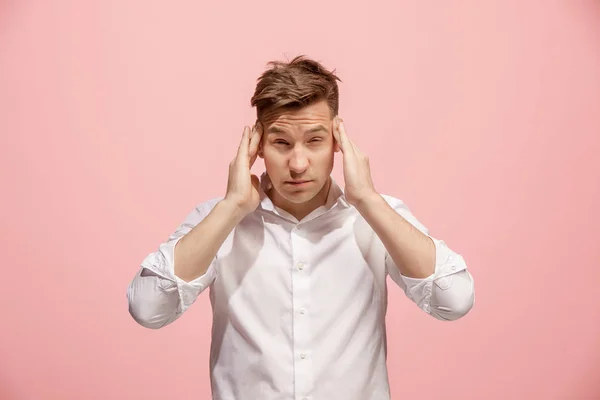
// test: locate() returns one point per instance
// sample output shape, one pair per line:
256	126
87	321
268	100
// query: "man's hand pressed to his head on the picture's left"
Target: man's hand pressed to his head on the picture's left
242	185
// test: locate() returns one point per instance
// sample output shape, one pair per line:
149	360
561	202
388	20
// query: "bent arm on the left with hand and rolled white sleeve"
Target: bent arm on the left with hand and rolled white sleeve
171	278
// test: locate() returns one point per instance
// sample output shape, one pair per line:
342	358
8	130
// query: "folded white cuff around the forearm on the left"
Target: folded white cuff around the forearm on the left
162	263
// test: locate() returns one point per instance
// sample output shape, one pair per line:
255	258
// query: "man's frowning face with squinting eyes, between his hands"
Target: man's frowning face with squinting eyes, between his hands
298	149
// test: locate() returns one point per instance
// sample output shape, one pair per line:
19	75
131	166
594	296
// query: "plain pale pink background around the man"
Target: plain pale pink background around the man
118	117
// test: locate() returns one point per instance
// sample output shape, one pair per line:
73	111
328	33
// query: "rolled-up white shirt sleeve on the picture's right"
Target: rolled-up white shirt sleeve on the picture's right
448	293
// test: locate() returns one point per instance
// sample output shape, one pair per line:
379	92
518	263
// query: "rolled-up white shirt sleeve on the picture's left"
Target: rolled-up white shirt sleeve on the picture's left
157	296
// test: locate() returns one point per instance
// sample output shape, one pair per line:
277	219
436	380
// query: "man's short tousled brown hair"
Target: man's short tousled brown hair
295	84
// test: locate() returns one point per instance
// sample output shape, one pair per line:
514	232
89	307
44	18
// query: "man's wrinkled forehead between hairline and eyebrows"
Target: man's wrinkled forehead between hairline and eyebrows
312	114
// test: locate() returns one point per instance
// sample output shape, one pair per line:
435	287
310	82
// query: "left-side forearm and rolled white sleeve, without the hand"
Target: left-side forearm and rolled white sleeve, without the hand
171	278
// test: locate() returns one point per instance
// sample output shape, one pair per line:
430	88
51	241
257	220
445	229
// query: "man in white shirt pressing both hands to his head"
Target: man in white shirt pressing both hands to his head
296	268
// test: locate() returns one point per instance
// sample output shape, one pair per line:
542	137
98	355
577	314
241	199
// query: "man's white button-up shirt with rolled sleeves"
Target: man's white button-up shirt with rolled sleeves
298	306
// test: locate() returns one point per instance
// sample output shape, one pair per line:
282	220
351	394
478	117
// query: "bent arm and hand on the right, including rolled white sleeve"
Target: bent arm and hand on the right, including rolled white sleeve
431	274
